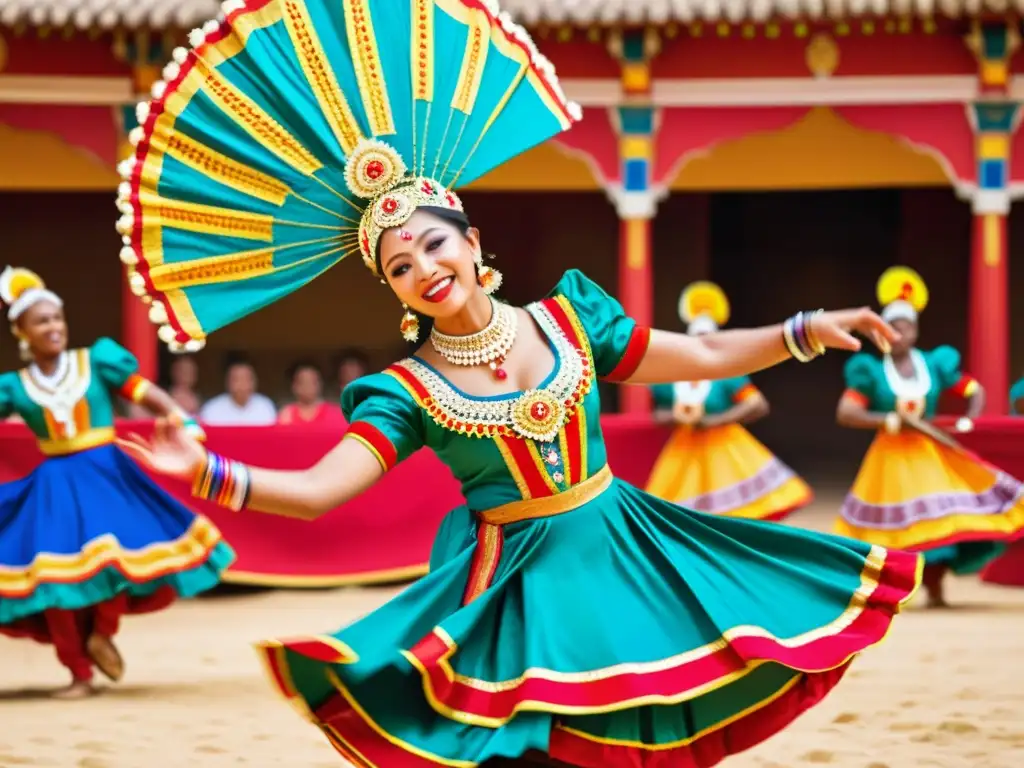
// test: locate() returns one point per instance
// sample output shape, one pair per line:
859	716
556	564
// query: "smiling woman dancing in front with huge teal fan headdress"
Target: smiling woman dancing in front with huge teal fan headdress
568	613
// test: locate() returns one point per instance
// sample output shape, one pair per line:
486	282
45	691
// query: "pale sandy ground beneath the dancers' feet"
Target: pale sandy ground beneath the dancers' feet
946	691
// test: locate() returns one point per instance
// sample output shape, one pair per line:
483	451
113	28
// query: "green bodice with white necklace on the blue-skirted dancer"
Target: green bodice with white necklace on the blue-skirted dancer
74	407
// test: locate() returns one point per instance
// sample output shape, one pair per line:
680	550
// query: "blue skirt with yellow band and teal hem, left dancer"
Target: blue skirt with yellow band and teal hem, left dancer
87	528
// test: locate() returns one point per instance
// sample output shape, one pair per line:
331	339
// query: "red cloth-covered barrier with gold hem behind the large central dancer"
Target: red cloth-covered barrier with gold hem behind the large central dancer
386	535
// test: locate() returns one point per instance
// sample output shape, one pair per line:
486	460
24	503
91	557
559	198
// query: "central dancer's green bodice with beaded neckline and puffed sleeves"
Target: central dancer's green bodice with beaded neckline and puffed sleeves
517	447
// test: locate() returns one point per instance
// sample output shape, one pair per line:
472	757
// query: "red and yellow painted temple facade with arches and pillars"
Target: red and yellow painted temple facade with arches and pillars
743	99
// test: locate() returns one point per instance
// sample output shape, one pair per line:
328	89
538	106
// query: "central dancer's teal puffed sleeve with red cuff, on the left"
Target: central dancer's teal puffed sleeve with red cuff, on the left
385	418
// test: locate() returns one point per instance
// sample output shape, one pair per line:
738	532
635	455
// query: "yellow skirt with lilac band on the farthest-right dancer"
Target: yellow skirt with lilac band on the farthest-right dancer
916	494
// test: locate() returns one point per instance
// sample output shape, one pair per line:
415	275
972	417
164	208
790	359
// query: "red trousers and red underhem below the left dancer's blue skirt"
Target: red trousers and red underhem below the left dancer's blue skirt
69	631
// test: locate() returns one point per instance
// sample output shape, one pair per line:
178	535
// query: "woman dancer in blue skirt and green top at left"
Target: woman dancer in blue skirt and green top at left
88	537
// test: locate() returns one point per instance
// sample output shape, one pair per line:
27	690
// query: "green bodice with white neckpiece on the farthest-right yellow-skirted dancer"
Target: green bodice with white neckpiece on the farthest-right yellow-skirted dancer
883	389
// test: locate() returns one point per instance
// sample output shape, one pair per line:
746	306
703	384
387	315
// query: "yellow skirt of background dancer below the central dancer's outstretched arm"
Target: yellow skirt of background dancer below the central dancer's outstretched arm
727	472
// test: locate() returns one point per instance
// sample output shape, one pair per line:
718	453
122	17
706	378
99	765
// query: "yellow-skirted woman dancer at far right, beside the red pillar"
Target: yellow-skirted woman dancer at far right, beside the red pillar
915	491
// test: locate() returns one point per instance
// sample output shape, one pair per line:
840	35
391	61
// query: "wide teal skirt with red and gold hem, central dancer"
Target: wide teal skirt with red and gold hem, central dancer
628	632
